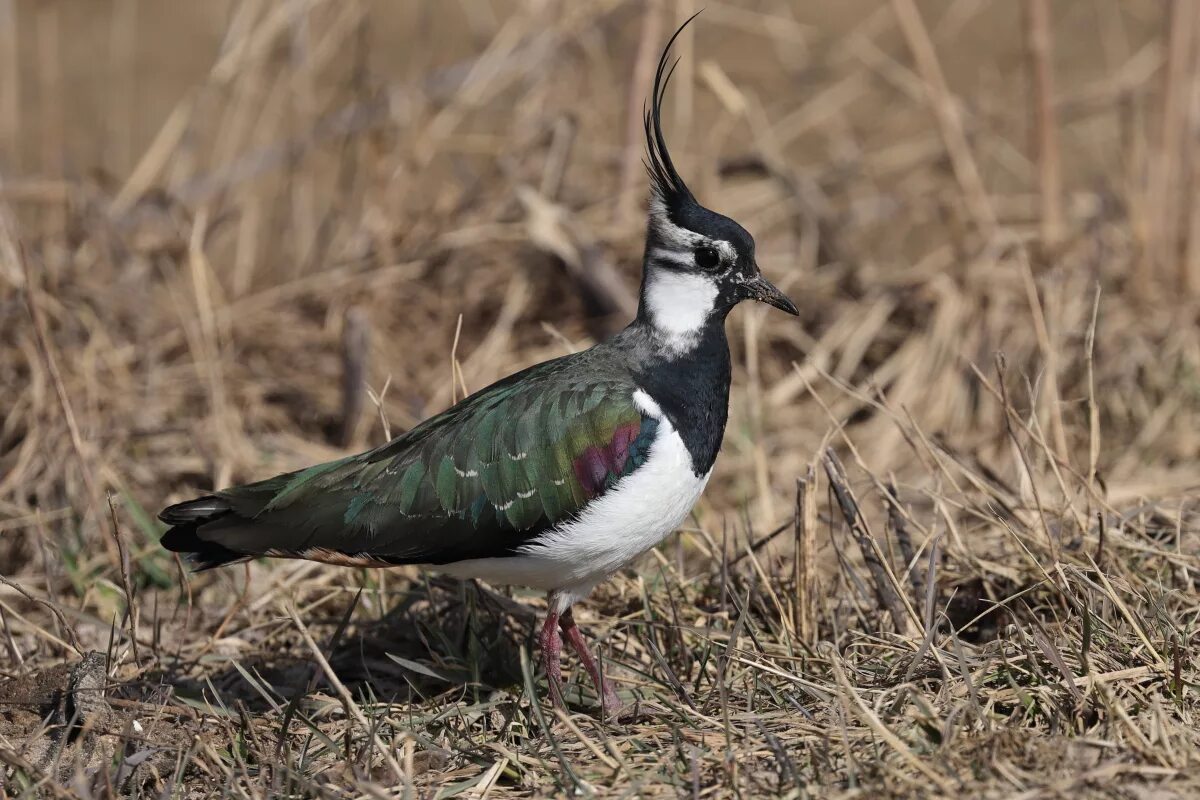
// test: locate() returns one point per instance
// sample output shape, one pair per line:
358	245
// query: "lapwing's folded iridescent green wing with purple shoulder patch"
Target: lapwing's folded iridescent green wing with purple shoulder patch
477	482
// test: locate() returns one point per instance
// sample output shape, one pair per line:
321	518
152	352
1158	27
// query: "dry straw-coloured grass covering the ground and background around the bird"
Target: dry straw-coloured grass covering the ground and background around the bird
238	216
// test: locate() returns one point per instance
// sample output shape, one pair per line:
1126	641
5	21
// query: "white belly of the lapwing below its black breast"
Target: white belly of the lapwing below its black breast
638	514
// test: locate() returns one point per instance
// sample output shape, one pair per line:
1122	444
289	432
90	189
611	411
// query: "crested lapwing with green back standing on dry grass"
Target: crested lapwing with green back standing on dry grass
555	478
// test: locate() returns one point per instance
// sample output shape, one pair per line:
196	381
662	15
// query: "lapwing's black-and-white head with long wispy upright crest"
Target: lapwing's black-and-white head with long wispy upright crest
699	264
